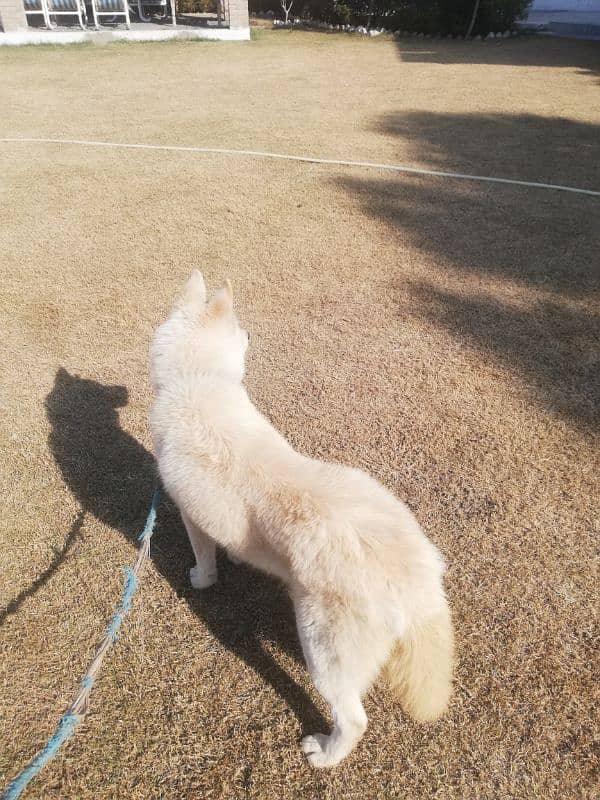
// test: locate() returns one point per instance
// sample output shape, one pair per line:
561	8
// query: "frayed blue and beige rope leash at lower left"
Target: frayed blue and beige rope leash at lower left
79	707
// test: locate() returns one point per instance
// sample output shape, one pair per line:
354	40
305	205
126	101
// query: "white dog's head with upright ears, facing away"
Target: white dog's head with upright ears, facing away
199	335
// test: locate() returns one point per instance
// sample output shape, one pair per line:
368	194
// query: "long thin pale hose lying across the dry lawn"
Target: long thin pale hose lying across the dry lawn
305	159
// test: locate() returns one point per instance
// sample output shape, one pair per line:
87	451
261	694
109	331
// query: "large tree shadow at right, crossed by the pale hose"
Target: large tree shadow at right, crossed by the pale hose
514	270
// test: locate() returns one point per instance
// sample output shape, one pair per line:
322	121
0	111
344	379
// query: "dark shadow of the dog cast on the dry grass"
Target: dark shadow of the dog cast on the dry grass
112	476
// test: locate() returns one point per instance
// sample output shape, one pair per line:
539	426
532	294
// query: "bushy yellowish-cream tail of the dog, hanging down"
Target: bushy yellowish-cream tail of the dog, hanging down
420	667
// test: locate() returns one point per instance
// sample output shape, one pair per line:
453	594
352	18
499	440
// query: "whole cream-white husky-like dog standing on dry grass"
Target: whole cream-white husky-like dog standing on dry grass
365	581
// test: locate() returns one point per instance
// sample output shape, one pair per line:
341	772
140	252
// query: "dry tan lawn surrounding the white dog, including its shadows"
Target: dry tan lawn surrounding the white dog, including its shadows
442	335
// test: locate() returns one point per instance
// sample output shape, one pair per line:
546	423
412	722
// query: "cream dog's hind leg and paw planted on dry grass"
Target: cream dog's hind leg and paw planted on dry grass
343	659
